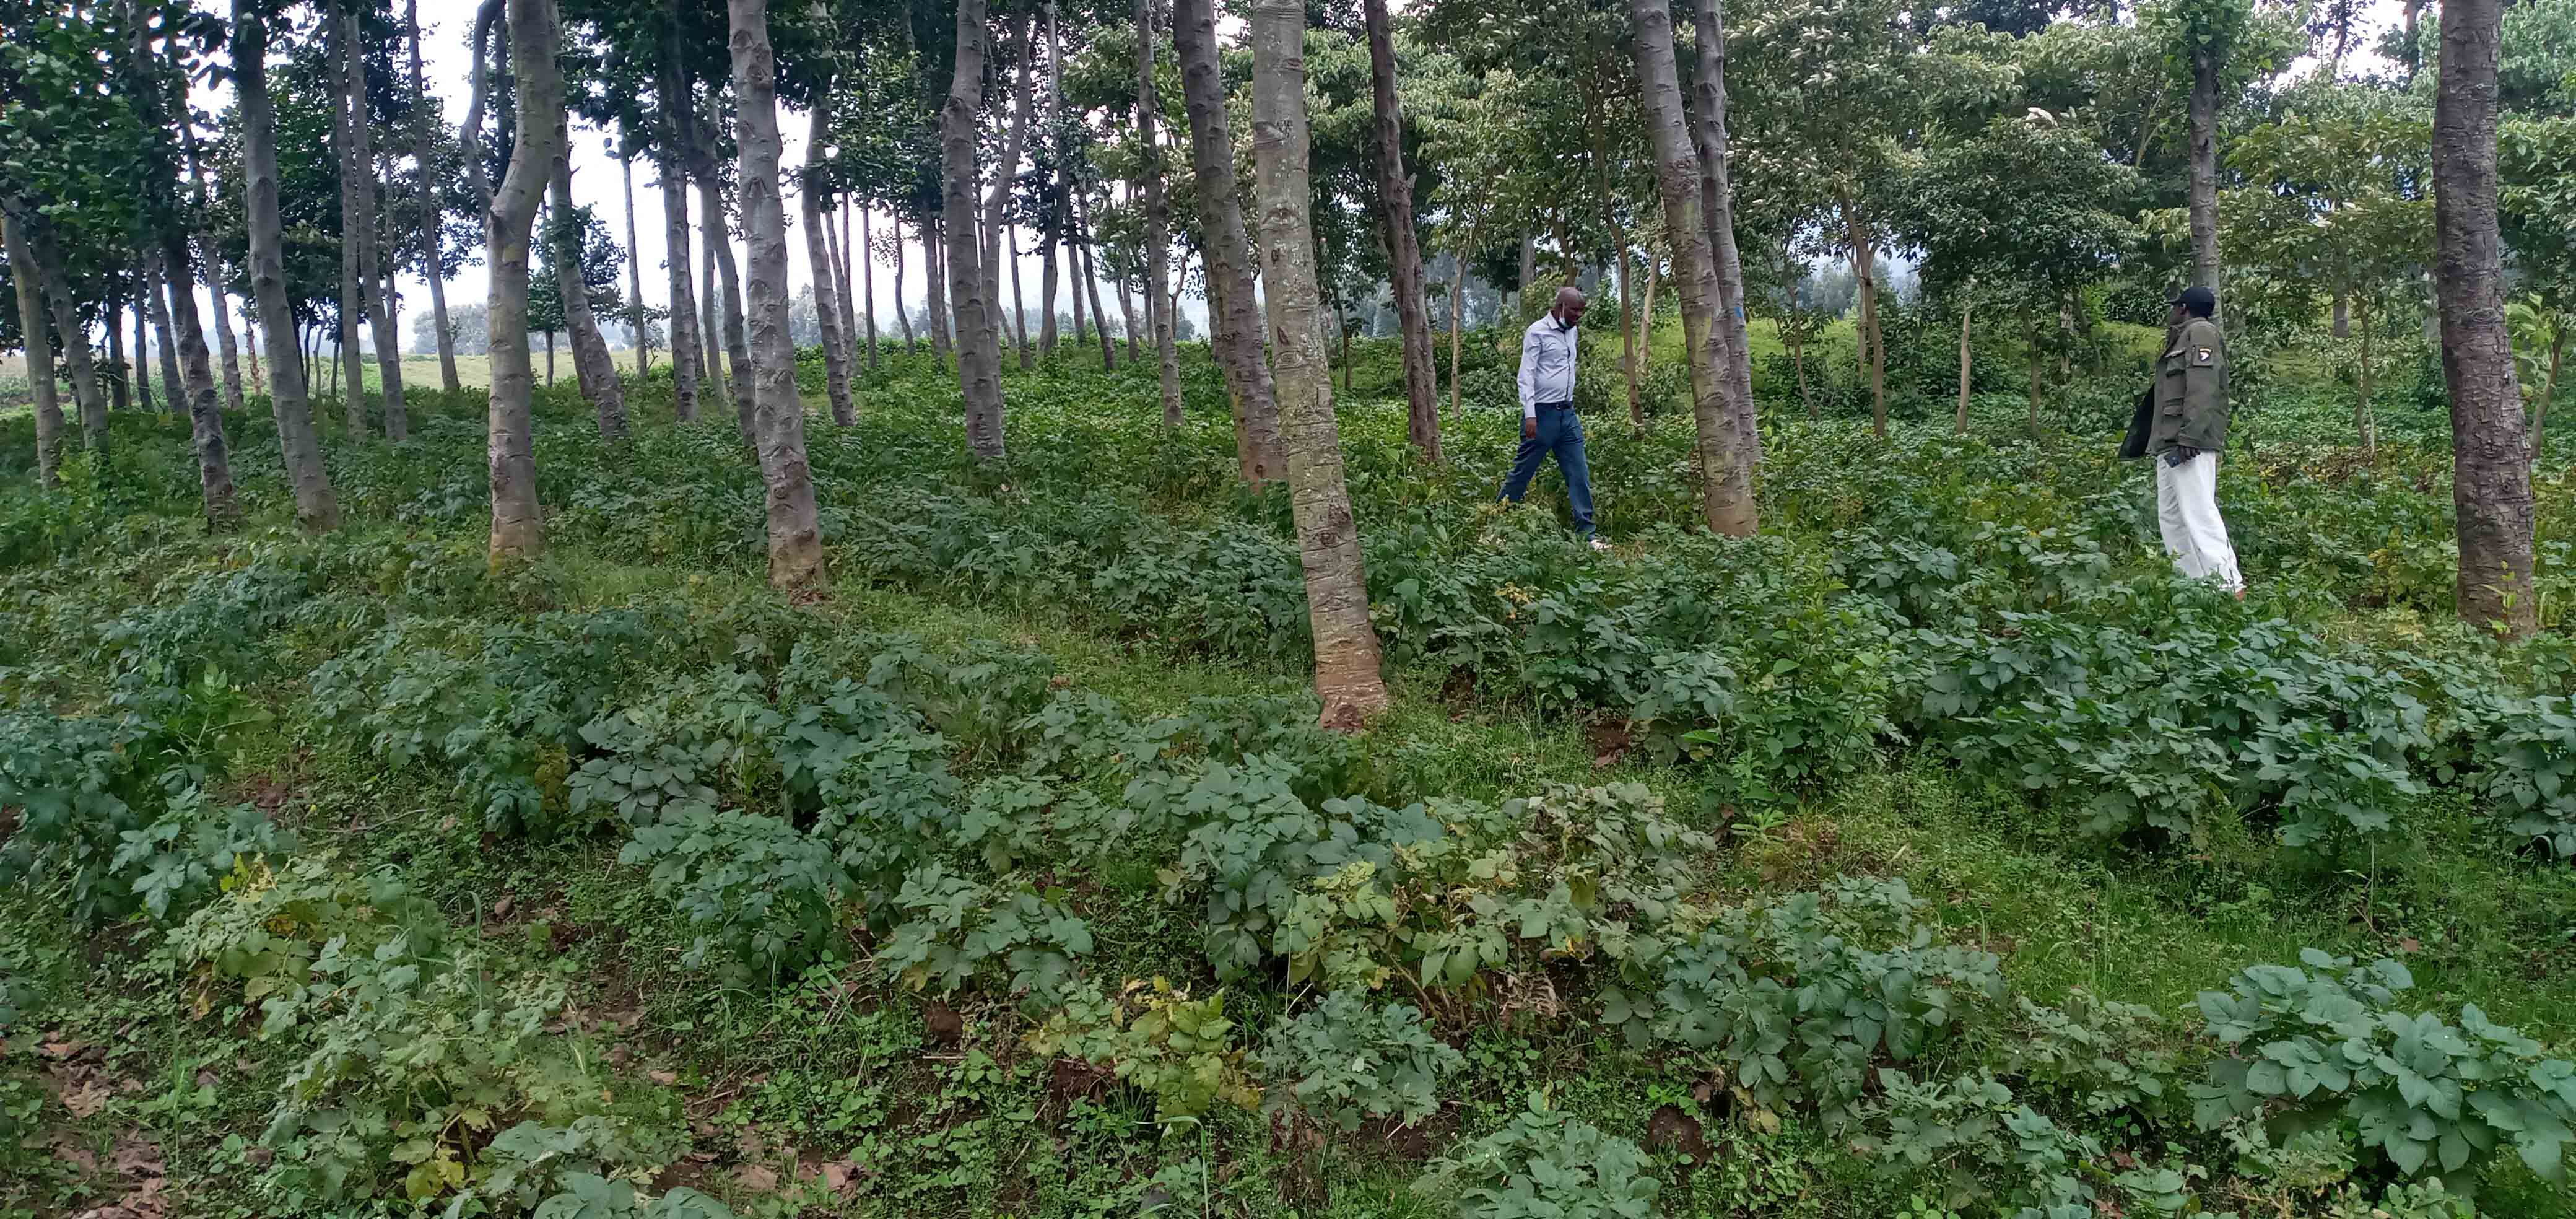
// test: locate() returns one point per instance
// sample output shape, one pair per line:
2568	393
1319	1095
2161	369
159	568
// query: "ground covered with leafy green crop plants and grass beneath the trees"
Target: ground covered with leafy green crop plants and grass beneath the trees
1871	867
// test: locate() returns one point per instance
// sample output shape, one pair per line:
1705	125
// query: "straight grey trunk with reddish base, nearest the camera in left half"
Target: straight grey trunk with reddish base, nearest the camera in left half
795	524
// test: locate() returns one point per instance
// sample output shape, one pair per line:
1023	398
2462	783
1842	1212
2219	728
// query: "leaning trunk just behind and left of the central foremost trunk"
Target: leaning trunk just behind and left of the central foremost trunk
1235	321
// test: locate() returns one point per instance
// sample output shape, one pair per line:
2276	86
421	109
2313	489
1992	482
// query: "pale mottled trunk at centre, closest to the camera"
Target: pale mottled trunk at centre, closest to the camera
1346	643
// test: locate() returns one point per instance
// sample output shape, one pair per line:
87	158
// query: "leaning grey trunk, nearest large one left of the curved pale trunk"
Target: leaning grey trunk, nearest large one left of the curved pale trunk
316	504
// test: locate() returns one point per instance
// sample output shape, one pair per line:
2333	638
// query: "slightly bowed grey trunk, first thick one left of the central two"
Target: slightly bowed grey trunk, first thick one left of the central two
978	341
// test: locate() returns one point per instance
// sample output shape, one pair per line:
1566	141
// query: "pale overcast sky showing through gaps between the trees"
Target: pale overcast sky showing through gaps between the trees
444	27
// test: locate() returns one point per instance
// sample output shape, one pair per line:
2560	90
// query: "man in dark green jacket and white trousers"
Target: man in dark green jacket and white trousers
2181	427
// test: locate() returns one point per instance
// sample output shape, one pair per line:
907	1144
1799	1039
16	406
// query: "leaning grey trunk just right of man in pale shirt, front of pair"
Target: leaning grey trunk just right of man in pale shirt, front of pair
1719	445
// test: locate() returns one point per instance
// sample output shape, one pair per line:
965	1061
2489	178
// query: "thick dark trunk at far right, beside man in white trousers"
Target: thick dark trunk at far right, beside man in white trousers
2492	483
